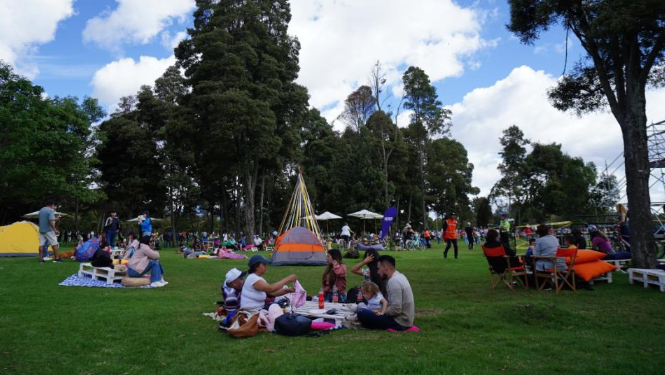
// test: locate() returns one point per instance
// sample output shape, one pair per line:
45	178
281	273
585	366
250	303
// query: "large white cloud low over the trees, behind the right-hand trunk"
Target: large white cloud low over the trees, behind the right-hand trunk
521	99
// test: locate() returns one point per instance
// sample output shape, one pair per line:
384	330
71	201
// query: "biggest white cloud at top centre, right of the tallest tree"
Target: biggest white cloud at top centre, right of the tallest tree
342	39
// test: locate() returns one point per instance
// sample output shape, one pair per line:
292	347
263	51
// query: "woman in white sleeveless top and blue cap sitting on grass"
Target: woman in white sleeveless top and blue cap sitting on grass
256	289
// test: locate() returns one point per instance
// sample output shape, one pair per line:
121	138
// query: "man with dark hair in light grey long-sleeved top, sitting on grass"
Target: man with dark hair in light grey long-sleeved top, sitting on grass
401	308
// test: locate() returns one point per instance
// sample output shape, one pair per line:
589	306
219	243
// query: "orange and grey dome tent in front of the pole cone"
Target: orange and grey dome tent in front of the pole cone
298	246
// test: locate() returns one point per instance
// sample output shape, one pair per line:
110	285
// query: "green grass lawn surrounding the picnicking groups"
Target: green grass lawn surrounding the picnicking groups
467	328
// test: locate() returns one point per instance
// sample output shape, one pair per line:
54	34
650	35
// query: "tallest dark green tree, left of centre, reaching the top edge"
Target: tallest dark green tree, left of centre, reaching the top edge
241	65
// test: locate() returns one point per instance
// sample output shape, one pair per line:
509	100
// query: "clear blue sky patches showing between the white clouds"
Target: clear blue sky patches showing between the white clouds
67	64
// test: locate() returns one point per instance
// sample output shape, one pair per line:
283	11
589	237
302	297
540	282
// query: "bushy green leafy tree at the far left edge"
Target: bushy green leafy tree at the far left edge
44	146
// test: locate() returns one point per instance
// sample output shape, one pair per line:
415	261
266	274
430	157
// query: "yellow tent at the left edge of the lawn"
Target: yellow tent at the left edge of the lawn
19	239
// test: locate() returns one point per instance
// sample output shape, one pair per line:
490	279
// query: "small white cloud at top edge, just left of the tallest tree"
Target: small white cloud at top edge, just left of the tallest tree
135	22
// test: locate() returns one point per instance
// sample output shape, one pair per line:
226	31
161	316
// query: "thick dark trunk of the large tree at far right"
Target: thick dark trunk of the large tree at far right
636	154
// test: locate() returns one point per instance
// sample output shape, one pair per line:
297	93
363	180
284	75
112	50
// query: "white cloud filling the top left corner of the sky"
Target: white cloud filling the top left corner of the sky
24	25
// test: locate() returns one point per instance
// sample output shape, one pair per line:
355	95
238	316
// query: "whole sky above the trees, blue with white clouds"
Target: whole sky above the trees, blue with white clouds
109	48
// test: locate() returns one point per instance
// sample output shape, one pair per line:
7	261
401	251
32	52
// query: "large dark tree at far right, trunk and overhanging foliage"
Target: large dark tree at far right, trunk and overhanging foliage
624	41
